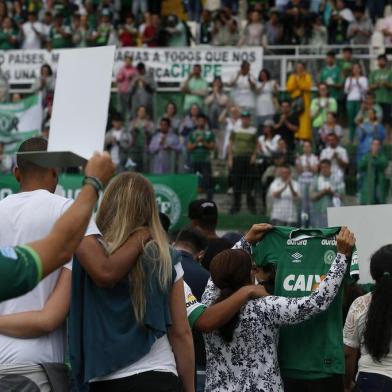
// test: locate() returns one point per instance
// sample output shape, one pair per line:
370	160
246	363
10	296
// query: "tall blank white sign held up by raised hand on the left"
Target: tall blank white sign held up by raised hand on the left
81	101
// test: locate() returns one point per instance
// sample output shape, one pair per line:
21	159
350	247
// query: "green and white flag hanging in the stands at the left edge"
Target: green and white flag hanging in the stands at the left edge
20	121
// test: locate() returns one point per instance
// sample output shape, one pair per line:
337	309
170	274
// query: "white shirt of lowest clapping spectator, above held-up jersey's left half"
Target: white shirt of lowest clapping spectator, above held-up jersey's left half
284	208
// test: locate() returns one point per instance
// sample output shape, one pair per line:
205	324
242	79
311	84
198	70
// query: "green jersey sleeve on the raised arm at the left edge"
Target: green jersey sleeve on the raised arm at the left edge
20	271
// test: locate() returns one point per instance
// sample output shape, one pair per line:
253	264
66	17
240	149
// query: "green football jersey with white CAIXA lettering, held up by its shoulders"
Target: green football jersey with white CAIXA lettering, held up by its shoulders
302	257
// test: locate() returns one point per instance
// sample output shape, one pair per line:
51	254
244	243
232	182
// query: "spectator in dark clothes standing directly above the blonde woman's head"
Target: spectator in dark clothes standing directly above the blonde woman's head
141	130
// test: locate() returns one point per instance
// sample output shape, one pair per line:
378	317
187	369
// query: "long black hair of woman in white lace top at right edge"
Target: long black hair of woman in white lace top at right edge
378	329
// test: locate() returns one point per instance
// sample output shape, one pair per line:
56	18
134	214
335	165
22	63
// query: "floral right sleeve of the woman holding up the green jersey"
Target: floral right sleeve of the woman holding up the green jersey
286	311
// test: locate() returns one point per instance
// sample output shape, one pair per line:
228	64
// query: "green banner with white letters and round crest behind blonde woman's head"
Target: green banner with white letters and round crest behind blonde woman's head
173	192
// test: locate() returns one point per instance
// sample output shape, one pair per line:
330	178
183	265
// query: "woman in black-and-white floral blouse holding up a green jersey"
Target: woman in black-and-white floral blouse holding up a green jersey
242	355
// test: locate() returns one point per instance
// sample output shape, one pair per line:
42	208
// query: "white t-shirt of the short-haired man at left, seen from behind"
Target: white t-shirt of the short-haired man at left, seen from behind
27	217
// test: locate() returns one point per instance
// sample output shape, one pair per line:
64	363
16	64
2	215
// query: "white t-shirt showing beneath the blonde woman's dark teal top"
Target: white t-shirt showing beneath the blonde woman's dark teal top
160	358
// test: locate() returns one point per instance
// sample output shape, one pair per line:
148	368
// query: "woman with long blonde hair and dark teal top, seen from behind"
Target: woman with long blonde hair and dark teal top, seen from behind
133	336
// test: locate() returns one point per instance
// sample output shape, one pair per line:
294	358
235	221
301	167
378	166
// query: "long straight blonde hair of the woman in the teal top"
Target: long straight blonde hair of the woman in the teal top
128	205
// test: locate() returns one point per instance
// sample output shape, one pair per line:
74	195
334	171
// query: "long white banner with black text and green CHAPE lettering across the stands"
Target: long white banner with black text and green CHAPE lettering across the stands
169	65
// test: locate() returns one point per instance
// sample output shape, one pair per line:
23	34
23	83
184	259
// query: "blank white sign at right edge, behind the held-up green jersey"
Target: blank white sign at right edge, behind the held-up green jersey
371	226
